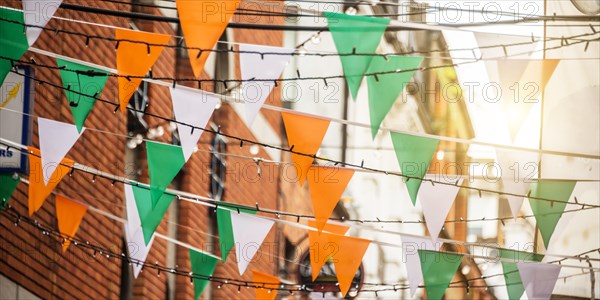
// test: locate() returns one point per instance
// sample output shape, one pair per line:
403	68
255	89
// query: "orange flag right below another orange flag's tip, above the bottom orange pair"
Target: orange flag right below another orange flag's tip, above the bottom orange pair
327	184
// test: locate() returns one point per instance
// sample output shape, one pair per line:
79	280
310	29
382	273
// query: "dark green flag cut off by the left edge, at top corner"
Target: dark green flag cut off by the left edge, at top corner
13	43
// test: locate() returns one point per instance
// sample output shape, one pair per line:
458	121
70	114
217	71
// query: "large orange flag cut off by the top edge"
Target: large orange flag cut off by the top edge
203	22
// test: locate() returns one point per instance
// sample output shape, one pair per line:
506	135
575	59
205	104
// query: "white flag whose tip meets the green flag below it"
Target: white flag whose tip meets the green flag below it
193	107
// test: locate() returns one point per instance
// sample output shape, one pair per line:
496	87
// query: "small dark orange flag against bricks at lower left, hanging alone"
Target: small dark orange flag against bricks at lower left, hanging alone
69	214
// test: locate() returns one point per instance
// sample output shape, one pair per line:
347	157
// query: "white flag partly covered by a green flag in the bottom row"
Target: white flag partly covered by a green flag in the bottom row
410	256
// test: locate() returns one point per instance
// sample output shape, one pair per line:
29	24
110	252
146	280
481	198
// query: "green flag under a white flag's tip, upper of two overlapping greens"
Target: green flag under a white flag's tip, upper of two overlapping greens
164	162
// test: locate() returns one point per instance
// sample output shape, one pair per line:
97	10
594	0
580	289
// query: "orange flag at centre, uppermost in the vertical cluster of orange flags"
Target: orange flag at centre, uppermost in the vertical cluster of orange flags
305	135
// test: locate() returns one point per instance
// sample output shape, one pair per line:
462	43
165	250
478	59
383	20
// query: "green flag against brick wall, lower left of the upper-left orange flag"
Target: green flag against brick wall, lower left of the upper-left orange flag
78	82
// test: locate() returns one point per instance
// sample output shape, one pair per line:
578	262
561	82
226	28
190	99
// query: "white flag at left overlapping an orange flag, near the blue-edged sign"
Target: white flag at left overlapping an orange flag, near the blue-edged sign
56	139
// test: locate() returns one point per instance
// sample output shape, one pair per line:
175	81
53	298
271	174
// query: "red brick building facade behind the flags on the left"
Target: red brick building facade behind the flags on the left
35	263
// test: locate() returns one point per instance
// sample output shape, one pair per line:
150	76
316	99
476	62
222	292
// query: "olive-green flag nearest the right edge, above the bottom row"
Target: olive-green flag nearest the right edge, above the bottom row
548	213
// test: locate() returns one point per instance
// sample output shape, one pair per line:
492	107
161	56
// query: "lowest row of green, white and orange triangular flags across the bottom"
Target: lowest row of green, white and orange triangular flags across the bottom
425	264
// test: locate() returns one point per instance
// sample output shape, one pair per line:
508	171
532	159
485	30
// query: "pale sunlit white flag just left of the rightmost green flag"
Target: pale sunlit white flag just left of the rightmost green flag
517	169
